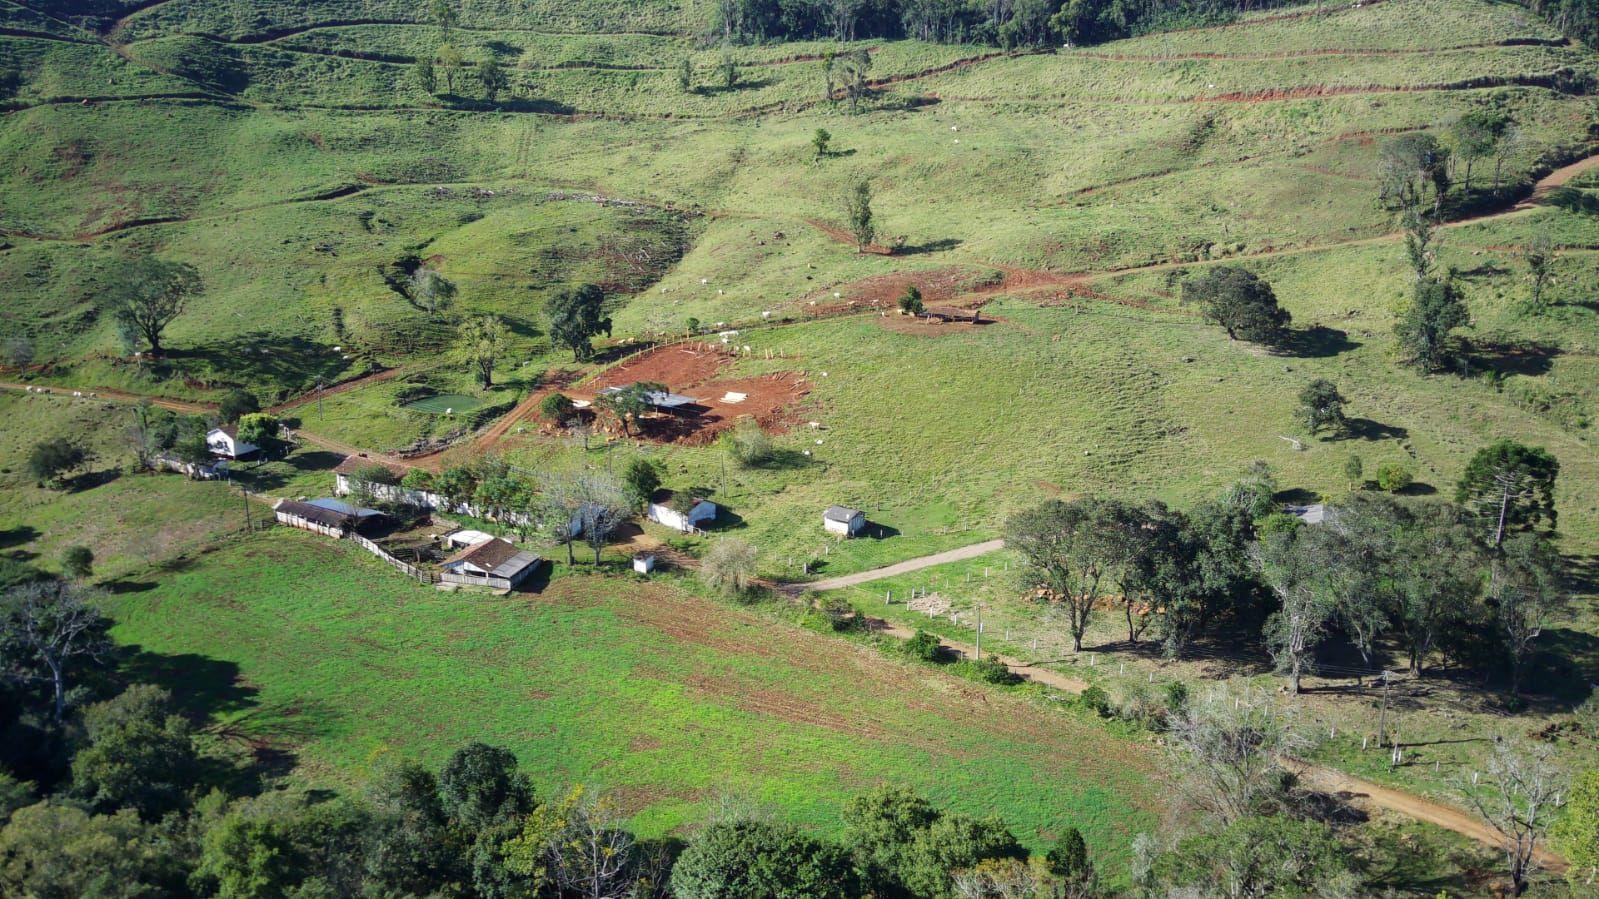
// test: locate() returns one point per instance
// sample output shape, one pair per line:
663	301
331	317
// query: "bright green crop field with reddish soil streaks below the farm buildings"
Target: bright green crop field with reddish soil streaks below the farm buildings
679	698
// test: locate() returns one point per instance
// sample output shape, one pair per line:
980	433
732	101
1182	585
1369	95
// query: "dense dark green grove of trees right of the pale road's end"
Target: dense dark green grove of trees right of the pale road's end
1472	583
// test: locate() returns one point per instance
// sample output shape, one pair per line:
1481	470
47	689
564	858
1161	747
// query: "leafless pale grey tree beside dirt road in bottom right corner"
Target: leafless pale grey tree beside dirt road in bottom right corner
1520	802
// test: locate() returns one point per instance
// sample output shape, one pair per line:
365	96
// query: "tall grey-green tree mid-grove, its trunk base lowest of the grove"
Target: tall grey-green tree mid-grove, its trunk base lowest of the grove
1294	565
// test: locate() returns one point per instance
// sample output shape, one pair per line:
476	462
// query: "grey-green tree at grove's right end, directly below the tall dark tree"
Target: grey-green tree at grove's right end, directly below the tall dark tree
1525	594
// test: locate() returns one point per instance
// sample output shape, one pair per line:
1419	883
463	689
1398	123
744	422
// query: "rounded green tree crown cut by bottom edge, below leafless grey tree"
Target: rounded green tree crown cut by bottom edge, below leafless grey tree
1256	858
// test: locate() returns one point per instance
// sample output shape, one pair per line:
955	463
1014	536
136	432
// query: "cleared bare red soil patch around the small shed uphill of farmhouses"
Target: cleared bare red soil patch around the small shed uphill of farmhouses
692	370
